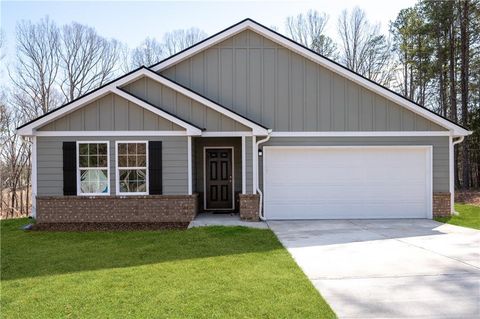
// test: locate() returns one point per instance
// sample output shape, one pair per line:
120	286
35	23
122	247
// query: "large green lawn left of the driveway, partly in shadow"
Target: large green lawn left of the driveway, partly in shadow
215	272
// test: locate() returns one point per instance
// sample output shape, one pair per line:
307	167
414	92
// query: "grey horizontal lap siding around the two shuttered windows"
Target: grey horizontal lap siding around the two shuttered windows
50	163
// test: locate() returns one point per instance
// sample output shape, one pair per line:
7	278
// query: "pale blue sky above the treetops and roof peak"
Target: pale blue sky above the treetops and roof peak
132	21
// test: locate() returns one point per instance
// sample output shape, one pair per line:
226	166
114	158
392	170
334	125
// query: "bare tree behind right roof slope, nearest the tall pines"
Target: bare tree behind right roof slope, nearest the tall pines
364	50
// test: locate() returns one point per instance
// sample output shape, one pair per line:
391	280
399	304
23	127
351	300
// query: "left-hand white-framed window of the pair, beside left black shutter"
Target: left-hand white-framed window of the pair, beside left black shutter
93	161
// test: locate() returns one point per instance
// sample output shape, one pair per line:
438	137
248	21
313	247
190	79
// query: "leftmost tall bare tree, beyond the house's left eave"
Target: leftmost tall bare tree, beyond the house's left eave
38	48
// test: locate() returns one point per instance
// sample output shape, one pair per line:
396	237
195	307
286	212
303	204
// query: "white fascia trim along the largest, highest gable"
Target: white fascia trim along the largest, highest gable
458	131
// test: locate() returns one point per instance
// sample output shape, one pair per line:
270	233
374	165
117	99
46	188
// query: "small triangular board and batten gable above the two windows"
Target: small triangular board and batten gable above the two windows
111	113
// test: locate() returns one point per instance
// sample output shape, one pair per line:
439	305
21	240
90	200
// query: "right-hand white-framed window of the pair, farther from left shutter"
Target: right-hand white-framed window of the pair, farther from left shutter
132	163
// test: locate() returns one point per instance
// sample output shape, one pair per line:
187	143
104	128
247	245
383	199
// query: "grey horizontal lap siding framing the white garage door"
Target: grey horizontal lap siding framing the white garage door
440	151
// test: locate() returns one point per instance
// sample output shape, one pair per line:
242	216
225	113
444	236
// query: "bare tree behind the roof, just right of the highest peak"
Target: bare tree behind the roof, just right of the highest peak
309	30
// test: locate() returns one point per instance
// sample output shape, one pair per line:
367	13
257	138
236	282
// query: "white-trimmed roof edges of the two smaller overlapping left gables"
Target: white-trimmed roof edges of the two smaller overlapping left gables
28	128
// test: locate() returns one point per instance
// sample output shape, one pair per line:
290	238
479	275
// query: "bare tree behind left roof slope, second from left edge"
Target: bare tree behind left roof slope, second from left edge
87	60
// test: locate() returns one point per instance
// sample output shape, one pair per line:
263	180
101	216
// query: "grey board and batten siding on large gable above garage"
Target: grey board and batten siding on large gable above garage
284	91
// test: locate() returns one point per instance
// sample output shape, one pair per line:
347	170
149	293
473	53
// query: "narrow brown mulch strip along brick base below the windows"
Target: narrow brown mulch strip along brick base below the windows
83	227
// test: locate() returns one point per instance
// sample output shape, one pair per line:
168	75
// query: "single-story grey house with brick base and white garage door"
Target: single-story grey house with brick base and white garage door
248	121
